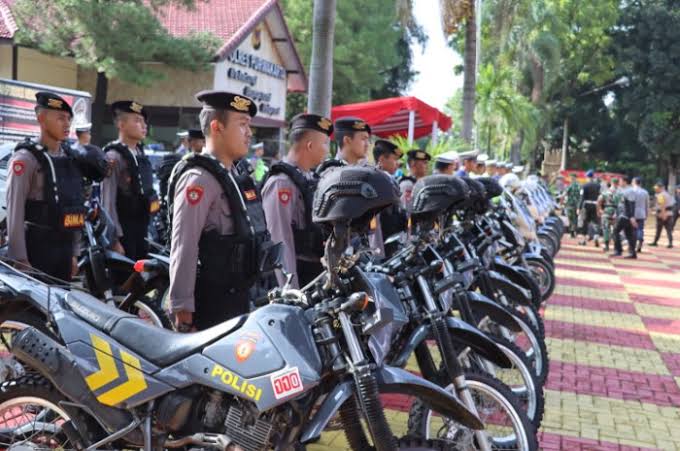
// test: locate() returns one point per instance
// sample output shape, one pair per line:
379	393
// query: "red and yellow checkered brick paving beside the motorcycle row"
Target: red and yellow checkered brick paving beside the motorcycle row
613	331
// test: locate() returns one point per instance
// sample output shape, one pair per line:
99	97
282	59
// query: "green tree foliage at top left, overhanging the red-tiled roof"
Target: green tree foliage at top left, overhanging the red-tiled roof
114	36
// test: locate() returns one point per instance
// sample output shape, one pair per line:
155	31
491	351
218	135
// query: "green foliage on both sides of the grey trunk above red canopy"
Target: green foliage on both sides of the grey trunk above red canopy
372	57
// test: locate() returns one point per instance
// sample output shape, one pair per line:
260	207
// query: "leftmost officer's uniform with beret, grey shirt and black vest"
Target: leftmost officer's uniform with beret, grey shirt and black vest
45	201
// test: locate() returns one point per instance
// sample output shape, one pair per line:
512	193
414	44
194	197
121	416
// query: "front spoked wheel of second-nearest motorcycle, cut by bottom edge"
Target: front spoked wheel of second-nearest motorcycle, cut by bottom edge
506	425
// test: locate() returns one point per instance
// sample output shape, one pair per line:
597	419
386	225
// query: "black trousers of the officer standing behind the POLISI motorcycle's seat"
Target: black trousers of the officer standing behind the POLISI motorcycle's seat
217	303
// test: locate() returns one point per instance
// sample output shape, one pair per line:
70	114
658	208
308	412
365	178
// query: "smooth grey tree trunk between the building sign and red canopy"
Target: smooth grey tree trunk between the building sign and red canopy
321	65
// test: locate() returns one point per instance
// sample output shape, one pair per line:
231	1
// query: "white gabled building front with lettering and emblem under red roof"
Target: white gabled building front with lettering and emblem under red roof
254	70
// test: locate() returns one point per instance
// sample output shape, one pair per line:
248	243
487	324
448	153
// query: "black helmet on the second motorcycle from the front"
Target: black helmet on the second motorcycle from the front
437	193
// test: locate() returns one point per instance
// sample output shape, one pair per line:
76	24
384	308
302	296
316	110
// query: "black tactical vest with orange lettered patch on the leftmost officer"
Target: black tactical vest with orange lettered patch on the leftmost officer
63	205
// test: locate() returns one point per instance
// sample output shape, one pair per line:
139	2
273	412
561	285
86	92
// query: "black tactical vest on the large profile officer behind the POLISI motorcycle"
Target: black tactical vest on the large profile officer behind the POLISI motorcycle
232	261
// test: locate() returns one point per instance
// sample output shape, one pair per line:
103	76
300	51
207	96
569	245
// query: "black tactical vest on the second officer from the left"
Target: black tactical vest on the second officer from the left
141	201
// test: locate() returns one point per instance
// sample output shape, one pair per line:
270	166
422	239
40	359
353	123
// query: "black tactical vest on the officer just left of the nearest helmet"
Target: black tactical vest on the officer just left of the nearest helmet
309	239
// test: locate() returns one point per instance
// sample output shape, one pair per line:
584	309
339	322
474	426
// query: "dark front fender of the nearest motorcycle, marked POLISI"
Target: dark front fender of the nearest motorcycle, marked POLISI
396	380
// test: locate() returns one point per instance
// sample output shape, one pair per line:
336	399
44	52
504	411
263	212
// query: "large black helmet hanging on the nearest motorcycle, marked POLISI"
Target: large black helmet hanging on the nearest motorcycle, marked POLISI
352	194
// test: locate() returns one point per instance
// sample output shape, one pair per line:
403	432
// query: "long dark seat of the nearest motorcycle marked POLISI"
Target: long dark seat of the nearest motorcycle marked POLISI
163	347
